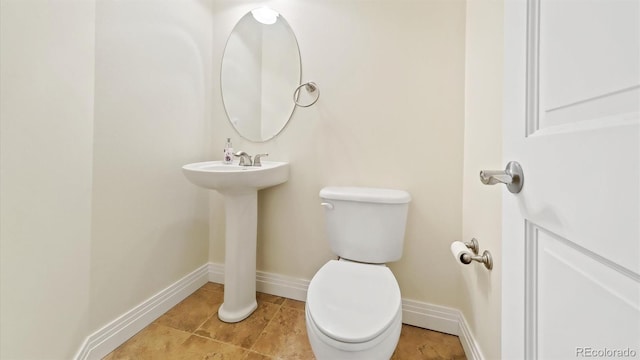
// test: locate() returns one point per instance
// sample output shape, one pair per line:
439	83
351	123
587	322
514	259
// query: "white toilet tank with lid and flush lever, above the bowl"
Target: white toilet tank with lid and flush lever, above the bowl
366	224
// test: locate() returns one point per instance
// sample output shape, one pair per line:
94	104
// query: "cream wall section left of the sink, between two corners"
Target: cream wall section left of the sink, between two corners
153	96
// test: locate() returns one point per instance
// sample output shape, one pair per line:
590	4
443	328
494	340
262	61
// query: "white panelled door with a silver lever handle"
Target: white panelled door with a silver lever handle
571	238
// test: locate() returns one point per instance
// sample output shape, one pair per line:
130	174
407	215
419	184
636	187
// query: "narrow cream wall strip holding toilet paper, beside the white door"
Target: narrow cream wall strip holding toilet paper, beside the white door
483	150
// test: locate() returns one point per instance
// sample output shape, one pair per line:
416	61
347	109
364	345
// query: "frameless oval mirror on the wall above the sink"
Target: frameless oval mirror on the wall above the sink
260	71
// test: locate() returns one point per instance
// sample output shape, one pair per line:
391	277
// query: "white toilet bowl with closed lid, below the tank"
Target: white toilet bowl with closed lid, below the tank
353	311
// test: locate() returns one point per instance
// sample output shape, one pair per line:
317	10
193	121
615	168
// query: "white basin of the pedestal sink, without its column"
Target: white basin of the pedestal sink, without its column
226	178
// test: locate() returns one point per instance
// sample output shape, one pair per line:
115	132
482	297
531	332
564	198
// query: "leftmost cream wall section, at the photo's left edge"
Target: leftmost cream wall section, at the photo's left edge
46	110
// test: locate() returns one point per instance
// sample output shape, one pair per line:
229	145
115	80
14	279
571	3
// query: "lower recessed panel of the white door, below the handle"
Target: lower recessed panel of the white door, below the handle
566	281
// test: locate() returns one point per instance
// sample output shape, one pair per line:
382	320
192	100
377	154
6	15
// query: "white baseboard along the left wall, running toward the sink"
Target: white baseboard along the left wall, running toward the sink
112	335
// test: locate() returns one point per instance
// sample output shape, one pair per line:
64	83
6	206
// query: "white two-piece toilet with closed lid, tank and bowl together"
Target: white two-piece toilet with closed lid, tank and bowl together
354	308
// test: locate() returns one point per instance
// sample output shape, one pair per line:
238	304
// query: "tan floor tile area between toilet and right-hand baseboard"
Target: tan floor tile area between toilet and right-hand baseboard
420	344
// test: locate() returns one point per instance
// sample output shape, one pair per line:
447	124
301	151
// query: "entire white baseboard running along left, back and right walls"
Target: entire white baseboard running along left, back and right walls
107	339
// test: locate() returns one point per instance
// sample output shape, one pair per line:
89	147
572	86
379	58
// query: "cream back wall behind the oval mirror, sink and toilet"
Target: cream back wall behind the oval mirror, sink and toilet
391	112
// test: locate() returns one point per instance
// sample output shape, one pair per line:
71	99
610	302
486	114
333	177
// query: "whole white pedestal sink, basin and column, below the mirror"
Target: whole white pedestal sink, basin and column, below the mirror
239	185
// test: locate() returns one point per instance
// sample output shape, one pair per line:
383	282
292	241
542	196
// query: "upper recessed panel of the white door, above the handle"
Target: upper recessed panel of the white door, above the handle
588	63
